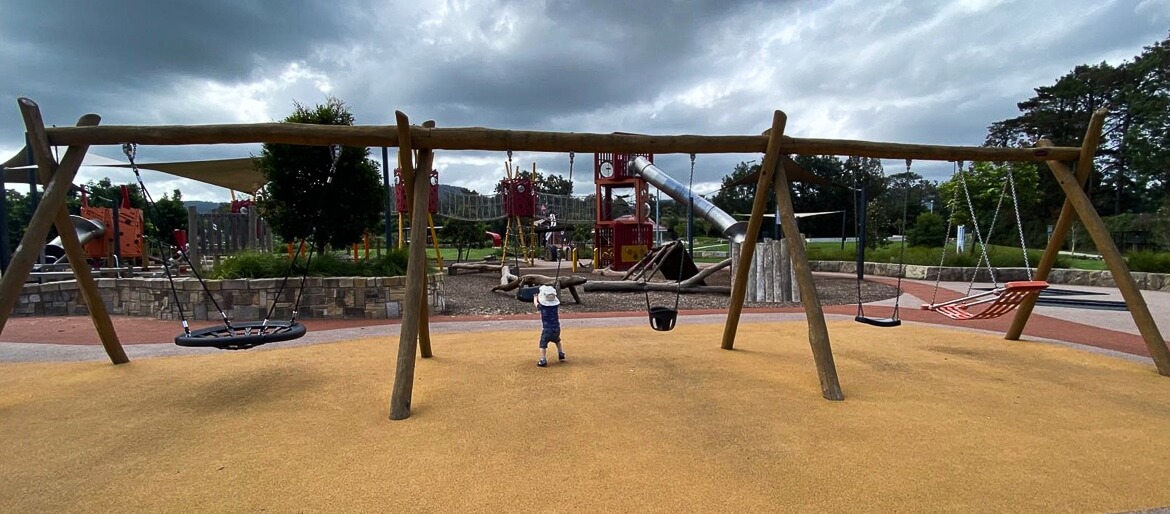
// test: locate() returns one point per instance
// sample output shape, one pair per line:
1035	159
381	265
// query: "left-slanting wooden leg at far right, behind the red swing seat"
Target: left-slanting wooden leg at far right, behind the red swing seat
1064	223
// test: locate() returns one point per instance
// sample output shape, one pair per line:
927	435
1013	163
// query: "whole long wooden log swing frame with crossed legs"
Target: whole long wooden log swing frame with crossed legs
417	146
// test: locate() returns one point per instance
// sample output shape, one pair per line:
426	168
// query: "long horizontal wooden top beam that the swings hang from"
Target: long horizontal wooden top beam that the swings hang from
497	140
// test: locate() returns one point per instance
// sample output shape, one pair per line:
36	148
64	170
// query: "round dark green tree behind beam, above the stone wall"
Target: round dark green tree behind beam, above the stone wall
309	196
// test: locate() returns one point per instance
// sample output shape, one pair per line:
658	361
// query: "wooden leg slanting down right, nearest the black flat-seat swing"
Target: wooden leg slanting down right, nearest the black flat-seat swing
818	331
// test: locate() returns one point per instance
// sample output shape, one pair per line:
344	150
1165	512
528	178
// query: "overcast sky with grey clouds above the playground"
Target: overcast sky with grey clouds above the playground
913	72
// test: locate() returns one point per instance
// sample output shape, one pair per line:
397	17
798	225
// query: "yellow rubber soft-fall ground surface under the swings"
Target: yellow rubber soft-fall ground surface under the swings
636	421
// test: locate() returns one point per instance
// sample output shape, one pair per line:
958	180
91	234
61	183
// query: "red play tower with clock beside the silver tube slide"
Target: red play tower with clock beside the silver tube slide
623	232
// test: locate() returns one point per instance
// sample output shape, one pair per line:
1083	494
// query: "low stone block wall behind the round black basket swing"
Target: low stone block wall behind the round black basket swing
322	298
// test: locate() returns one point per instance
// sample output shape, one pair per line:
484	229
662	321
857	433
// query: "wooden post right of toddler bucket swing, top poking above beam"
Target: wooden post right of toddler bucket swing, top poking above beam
748	248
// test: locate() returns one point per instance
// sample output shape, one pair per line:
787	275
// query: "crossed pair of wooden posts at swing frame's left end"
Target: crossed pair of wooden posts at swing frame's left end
52	210
